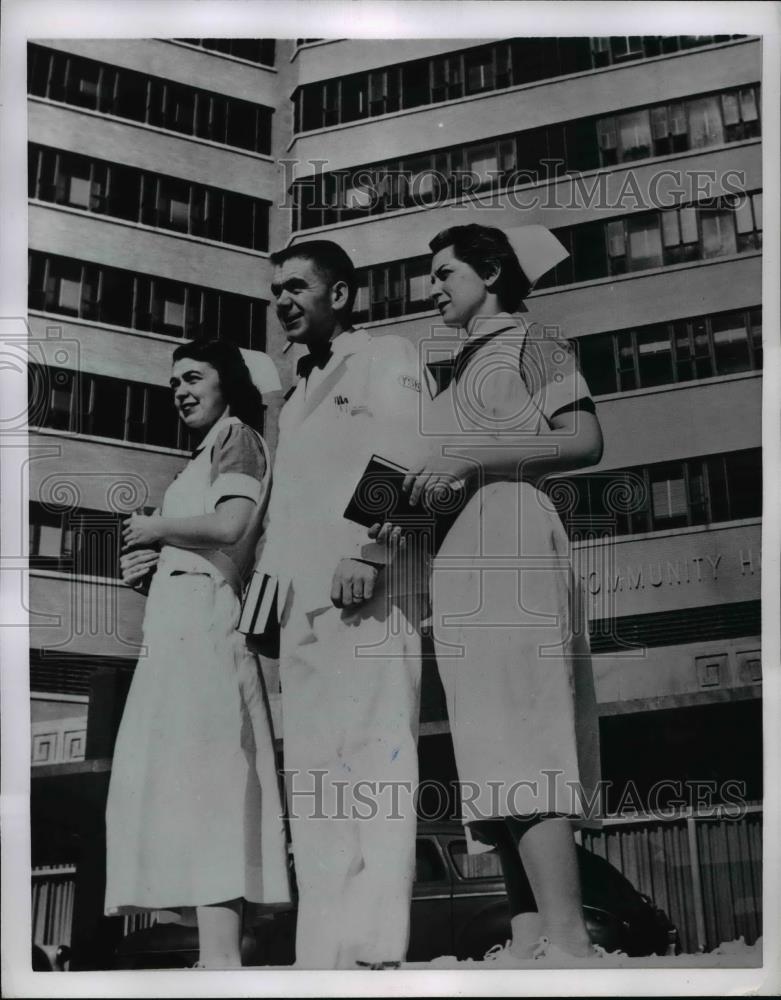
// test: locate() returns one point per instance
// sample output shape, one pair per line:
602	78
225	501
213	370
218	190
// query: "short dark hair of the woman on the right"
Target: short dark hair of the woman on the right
482	247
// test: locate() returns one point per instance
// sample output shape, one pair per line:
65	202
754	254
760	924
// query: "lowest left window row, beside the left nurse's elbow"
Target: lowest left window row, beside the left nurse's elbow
75	540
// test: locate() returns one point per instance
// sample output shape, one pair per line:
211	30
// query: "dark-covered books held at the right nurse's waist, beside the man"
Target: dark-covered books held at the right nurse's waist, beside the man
380	496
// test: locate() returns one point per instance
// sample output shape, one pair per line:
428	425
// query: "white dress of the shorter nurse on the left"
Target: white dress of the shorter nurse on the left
194	811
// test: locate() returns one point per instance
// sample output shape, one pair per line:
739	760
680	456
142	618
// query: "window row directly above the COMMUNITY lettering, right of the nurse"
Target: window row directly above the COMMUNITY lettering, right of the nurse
665	495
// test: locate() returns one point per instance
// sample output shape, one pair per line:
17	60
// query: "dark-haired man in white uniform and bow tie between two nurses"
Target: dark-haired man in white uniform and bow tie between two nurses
350	641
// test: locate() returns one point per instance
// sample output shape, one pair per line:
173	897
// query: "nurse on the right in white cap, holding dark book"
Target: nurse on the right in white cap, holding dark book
511	644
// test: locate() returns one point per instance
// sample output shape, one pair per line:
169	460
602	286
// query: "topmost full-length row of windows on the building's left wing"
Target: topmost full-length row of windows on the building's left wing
140	97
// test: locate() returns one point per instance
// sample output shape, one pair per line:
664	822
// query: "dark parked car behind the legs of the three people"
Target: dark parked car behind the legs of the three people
459	907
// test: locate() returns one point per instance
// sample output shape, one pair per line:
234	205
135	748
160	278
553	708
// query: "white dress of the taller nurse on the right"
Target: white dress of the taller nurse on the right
510	636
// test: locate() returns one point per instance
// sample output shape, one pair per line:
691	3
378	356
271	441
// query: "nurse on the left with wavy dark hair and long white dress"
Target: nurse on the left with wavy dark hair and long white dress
194	815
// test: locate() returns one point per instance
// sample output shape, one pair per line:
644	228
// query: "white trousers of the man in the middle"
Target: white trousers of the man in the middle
350	703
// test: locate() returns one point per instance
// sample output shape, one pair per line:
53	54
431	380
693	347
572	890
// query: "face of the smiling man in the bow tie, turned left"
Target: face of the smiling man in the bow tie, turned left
304	301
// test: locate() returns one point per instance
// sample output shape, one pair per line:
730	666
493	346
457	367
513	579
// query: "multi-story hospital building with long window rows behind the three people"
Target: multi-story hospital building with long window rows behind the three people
160	174
